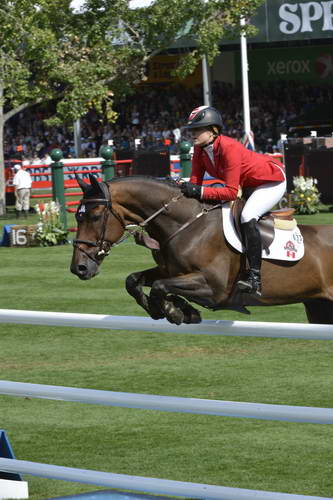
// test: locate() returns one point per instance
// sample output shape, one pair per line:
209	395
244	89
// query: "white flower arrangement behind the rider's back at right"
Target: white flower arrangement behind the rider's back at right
305	195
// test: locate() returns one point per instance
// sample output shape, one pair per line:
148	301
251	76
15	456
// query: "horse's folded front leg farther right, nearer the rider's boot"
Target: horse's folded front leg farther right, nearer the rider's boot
192	286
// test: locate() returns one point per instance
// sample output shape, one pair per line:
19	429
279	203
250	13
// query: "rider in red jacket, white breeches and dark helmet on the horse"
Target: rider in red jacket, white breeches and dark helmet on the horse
236	166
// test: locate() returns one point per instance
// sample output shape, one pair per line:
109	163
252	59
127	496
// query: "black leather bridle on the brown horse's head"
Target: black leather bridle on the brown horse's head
103	244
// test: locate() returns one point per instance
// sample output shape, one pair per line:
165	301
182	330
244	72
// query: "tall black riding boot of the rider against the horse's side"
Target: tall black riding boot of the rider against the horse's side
252	283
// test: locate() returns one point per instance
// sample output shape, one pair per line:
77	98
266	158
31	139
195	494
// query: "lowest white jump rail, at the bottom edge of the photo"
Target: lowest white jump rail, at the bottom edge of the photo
144	484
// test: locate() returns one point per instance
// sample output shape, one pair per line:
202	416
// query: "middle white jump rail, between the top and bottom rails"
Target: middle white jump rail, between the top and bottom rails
259	411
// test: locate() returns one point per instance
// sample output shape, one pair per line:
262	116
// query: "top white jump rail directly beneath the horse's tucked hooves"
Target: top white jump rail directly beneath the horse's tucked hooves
138	323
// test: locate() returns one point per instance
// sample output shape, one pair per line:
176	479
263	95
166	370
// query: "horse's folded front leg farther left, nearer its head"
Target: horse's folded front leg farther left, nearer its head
134	286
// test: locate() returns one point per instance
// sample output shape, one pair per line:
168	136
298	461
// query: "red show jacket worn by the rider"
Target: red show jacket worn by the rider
235	166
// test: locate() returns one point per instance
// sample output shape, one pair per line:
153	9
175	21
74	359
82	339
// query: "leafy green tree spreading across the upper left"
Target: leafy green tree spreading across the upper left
82	59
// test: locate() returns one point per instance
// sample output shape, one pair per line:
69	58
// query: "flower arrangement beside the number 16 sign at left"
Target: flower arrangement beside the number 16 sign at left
50	230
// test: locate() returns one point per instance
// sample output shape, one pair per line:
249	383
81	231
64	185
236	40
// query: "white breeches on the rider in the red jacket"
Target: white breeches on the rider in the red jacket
262	200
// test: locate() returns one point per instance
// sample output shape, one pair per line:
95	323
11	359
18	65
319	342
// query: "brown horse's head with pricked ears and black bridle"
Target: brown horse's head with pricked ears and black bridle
99	227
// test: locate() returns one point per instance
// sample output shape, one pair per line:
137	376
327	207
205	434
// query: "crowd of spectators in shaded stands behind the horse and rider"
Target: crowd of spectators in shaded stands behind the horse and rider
156	116
